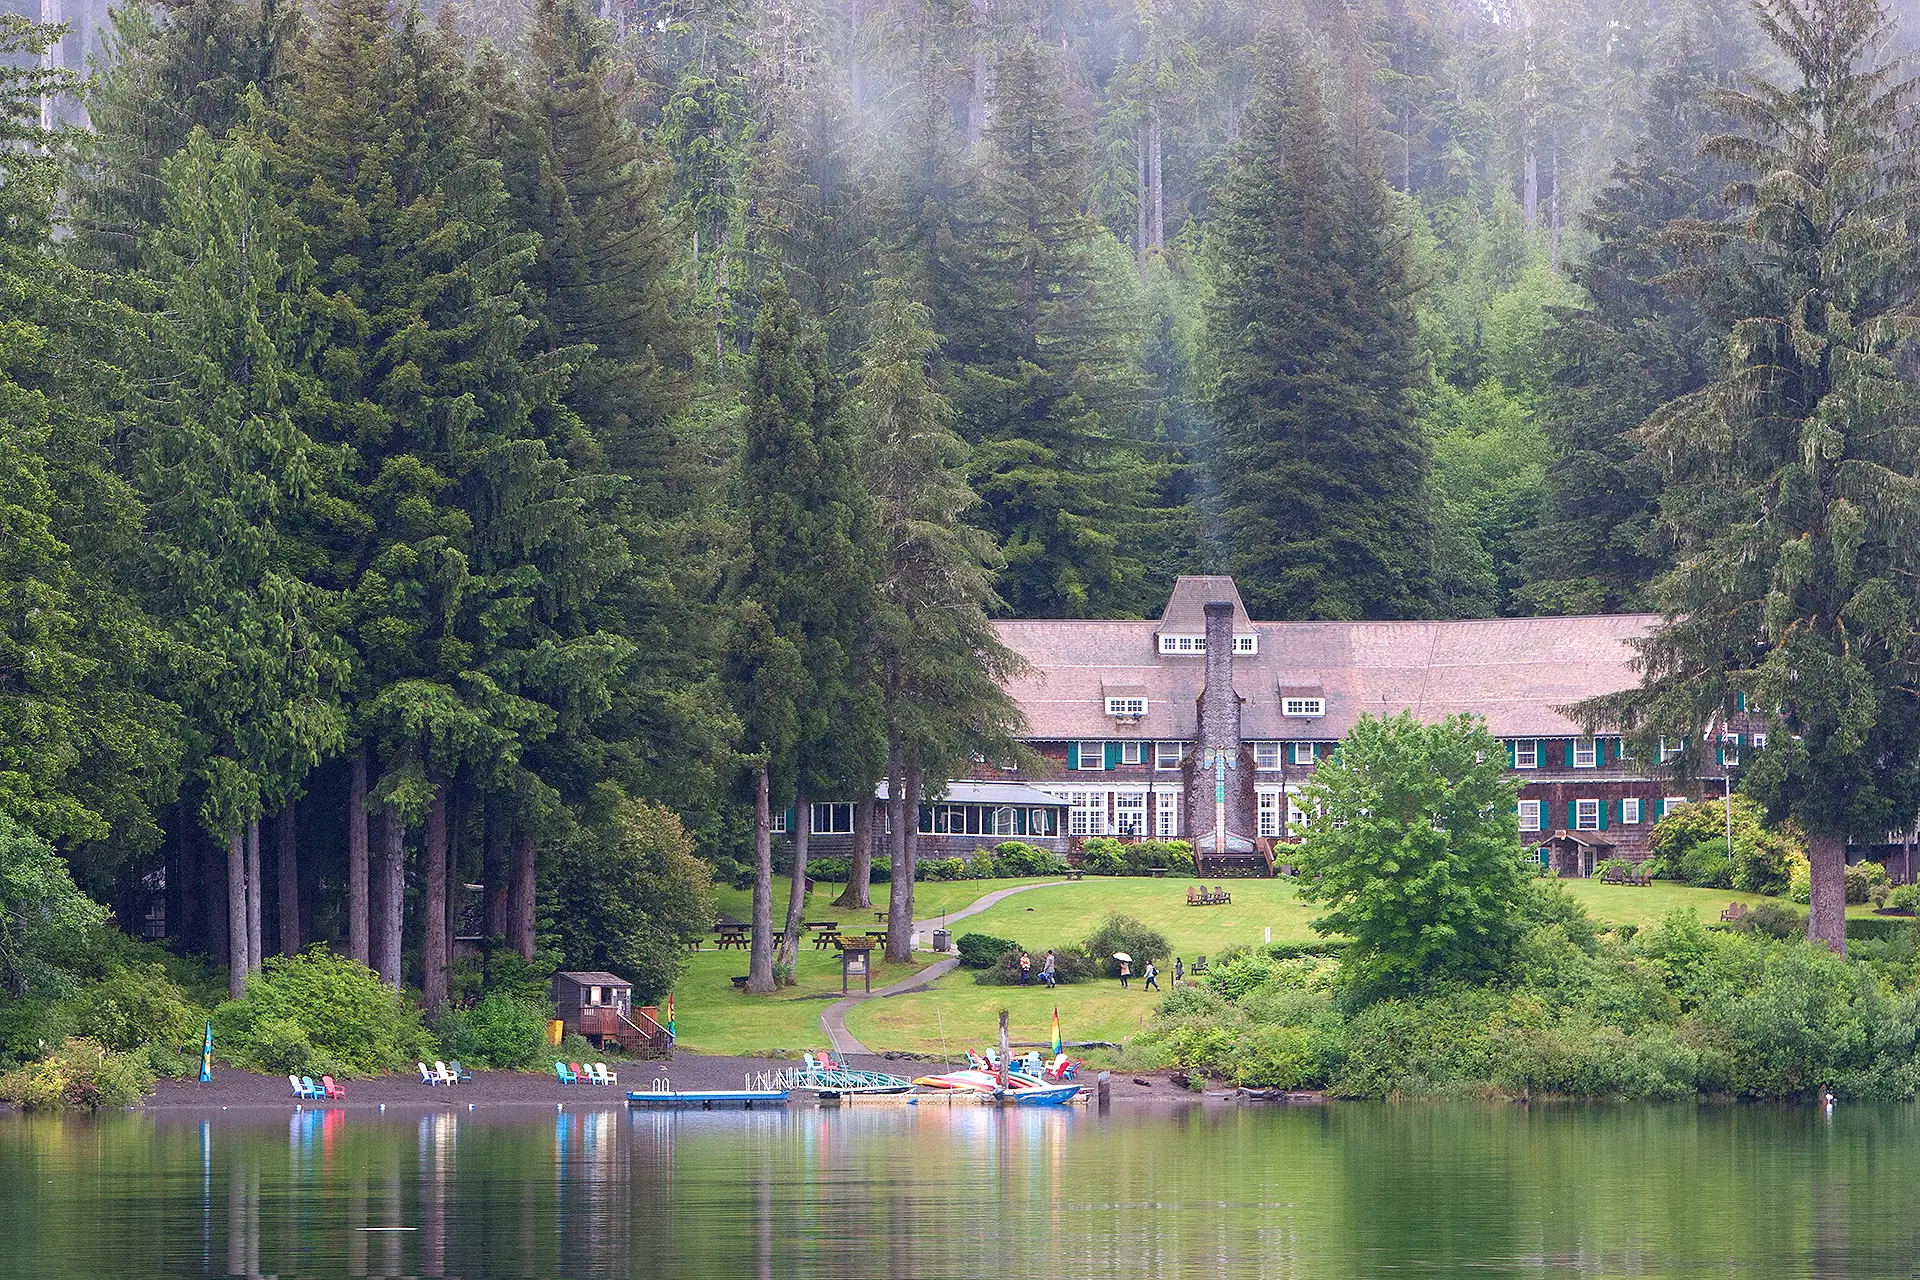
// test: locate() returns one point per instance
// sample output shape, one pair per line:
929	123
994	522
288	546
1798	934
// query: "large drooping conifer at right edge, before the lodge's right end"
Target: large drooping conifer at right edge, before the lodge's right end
1792	477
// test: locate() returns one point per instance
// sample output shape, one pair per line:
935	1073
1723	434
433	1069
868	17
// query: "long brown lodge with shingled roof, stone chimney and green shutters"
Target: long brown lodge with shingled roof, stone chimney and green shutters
1205	724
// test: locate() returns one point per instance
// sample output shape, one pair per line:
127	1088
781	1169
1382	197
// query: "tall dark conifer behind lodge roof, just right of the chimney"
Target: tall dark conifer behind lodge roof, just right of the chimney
1320	463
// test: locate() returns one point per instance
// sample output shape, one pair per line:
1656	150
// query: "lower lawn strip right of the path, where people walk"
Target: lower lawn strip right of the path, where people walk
969	1014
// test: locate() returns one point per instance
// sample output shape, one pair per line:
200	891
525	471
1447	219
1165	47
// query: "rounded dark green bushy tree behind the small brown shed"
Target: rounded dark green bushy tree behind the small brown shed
629	895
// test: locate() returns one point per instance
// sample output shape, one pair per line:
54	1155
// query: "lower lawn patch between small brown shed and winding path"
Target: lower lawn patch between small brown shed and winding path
713	1018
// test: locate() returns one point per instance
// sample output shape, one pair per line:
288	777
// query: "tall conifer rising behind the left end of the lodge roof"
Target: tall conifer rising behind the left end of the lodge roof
1042	352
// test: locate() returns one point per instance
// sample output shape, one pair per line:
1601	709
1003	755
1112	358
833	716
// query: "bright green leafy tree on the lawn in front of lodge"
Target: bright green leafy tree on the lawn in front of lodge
1416	853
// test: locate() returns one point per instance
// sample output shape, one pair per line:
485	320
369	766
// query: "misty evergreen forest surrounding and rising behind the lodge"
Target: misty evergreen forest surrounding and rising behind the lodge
464	444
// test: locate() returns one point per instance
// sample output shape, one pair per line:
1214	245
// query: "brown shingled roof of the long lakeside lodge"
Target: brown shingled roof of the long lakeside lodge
1514	673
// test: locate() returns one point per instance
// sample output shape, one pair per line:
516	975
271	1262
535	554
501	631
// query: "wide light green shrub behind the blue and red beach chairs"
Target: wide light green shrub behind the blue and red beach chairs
352	1022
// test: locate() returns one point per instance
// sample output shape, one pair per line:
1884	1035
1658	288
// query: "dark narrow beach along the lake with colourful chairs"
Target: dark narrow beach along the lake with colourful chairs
500	1089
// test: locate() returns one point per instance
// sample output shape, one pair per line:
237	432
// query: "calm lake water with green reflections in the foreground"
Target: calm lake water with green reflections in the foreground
946	1193
